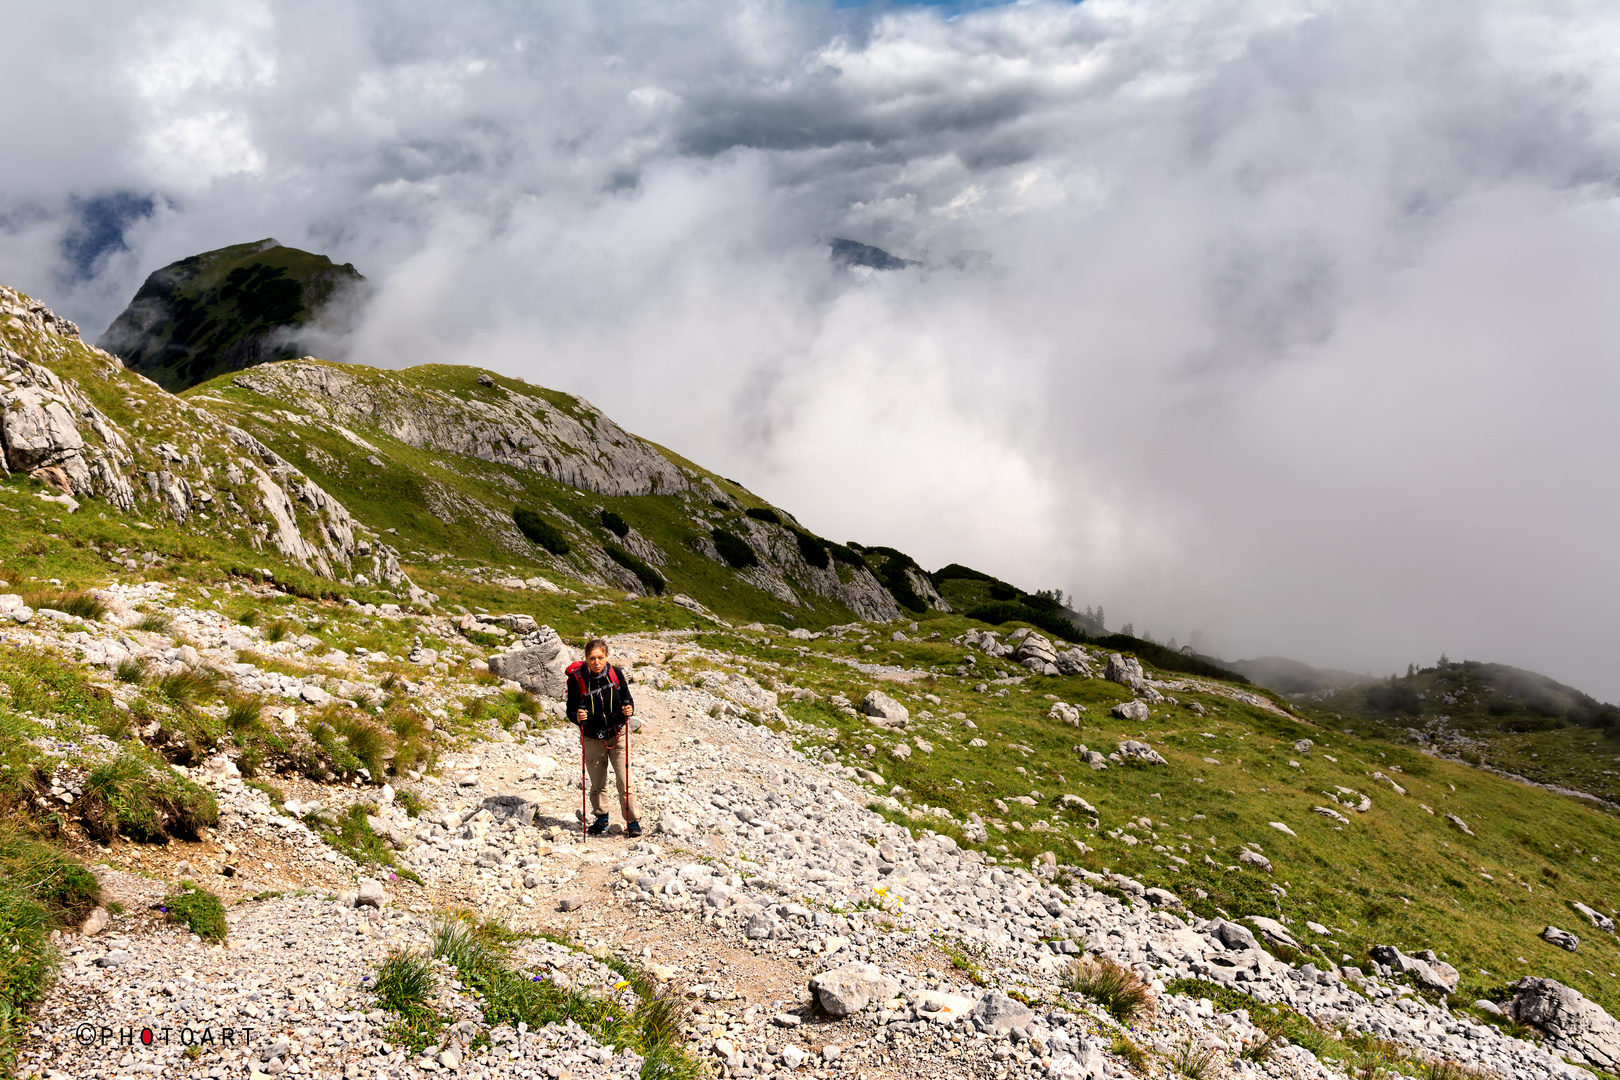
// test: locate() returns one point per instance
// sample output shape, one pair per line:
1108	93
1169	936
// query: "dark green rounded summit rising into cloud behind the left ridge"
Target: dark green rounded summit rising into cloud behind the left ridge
226	310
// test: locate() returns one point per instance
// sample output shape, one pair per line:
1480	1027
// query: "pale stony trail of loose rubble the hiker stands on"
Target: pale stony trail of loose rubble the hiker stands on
762	874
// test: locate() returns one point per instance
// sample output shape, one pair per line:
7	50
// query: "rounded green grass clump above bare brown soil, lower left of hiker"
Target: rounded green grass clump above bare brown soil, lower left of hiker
143	802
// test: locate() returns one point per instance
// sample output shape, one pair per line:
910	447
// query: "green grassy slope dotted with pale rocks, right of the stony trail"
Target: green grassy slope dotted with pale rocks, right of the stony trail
1396	875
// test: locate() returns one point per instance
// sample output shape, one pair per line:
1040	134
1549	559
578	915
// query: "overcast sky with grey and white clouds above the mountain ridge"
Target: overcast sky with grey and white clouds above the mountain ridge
1294	325
